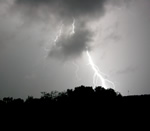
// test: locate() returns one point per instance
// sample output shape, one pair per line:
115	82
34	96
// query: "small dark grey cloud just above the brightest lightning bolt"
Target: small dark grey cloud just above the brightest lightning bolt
68	47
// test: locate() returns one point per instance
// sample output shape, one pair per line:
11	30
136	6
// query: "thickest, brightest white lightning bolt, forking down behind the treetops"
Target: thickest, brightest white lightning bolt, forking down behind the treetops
97	74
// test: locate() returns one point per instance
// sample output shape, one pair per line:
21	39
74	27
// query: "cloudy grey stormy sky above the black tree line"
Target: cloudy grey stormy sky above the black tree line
40	51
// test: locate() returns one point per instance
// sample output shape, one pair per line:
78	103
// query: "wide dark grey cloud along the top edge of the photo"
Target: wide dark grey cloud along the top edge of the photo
65	8
